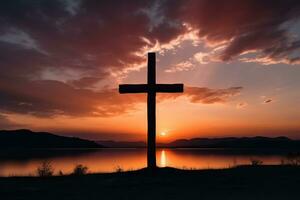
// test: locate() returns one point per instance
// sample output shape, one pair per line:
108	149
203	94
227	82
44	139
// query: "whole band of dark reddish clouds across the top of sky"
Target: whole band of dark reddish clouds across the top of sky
93	35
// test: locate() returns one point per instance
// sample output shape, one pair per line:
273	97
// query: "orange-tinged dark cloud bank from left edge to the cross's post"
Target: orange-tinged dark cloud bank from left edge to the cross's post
48	98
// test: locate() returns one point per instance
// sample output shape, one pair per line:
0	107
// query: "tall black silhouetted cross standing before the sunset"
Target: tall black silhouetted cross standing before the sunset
151	88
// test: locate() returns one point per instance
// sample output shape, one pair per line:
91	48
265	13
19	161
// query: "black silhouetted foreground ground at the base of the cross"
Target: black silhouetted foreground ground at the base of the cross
246	182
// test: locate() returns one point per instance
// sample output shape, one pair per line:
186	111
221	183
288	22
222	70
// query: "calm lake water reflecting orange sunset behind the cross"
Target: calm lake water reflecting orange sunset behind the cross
108	160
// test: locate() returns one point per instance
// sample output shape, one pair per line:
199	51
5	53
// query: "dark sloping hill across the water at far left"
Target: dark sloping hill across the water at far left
26	139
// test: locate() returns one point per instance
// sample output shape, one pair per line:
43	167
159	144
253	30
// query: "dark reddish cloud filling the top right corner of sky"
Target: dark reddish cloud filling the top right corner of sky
246	25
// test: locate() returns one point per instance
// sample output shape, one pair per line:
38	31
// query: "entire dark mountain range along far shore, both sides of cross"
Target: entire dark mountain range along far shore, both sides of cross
26	139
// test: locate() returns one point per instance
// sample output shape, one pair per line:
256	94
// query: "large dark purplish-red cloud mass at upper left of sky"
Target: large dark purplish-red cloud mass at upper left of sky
99	36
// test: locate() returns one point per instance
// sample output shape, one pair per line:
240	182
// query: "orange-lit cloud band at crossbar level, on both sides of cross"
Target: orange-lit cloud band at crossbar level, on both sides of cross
53	98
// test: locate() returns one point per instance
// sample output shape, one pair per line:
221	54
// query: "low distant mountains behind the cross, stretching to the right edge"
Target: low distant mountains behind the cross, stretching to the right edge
258	142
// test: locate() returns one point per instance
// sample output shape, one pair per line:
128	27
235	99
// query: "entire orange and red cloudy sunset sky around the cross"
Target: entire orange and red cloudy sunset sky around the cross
61	62
